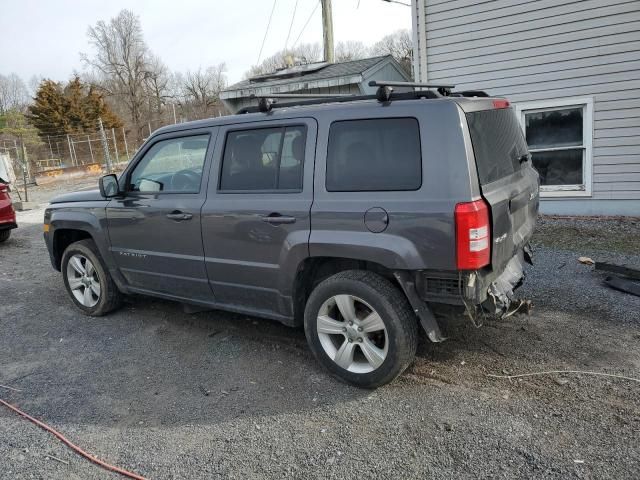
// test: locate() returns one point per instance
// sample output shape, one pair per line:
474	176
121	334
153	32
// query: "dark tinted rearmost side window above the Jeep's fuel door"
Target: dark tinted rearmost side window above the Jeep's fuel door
374	155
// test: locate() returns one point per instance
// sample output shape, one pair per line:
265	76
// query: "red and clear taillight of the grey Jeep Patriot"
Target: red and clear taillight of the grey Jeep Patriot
473	233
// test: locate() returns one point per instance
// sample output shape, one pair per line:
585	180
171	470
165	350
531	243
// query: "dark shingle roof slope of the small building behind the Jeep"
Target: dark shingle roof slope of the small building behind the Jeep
333	70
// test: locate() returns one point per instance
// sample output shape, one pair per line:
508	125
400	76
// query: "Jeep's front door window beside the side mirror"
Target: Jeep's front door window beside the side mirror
171	166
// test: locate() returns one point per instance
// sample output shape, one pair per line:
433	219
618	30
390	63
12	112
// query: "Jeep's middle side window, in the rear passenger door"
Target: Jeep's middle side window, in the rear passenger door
265	159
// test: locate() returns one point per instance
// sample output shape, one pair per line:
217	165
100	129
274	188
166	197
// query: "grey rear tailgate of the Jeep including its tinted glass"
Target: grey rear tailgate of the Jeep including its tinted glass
508	182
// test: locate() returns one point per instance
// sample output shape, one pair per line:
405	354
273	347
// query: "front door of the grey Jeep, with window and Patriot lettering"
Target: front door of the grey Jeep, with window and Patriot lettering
154	228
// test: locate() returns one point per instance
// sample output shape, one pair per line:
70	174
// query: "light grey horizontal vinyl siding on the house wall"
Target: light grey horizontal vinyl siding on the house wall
531	50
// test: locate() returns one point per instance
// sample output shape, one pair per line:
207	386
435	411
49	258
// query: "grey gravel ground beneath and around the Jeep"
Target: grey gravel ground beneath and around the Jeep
218	395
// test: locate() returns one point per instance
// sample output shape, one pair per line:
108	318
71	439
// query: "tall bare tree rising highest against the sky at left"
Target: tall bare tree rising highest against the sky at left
122	59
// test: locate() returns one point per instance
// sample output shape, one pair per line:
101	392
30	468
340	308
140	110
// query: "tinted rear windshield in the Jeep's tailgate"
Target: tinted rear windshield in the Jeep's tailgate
498	143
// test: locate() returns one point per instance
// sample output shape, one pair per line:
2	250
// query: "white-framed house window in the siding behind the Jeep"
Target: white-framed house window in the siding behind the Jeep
559	135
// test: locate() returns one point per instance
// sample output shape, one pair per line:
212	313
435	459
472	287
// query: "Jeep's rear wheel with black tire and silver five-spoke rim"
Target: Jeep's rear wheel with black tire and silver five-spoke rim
395	345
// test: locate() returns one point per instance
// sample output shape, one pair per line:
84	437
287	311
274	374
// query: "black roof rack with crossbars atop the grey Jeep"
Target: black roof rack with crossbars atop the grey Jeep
384	94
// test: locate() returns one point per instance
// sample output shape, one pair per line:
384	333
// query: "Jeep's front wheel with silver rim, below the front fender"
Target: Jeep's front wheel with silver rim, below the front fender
94	293
